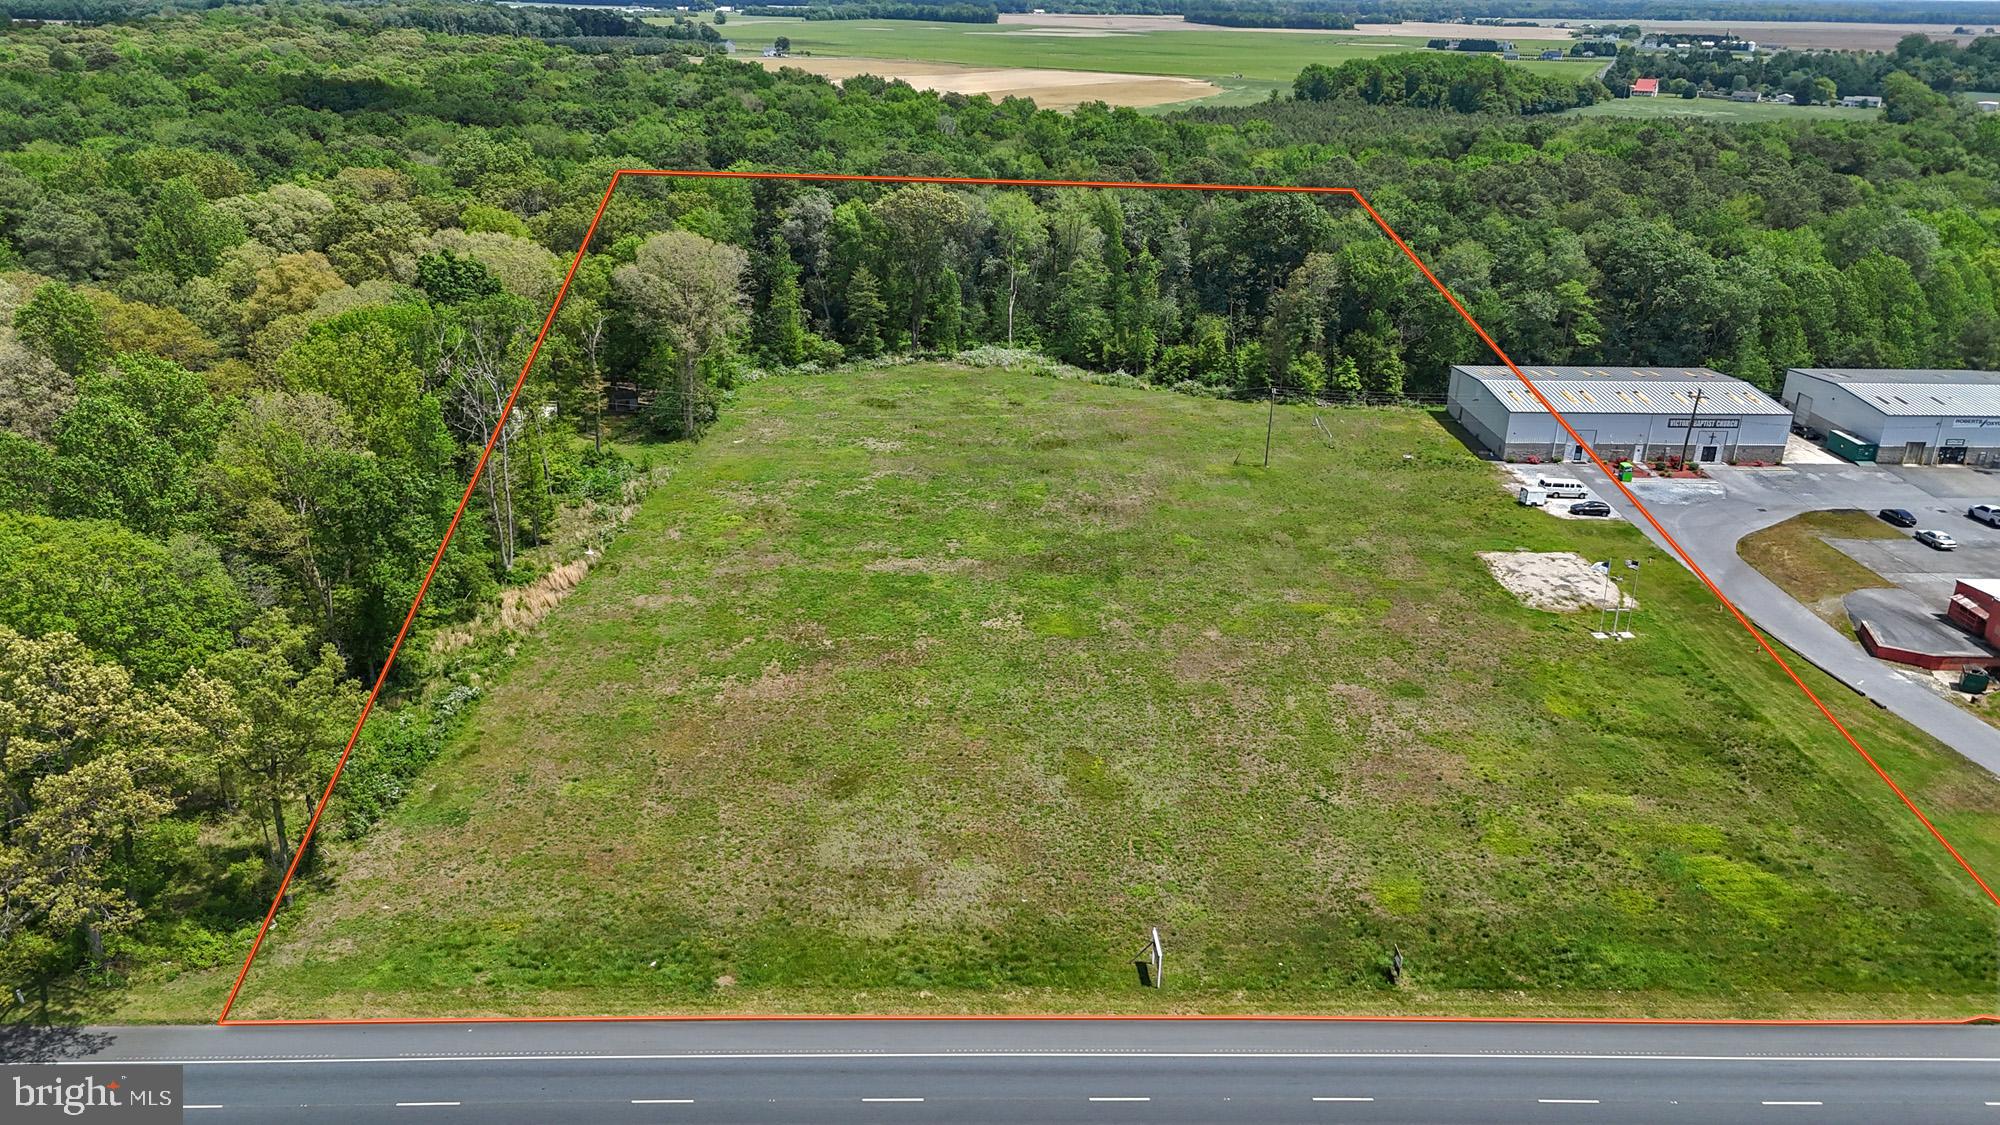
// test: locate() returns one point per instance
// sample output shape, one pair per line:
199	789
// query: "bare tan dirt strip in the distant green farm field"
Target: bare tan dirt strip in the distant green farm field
1049	89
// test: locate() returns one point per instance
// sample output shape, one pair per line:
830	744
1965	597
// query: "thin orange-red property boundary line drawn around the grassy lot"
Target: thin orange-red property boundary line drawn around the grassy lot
535	351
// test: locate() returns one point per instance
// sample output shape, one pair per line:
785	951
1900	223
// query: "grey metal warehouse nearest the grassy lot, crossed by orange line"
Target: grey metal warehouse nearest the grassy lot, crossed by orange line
1625	413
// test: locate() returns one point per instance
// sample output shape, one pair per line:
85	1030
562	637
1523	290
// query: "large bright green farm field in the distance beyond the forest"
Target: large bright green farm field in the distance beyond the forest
1243	65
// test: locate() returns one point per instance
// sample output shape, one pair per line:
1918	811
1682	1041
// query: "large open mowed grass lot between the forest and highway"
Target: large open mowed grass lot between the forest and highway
933	690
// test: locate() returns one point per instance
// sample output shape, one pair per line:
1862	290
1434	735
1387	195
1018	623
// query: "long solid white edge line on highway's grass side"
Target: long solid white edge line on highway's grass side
867	1056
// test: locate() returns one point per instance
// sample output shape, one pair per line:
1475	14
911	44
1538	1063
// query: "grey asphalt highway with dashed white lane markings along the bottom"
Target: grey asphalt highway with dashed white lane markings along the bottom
1101	1072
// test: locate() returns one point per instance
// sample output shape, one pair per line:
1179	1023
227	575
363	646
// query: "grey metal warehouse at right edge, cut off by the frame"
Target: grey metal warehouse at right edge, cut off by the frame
1911	417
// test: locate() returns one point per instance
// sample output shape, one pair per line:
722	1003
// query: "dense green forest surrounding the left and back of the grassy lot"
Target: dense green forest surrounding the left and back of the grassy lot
267	273
